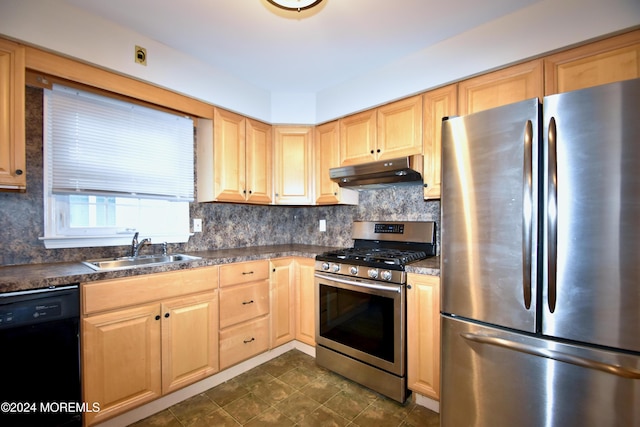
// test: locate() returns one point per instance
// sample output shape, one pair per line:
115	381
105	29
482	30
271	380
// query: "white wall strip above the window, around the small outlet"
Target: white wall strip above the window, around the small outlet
59	27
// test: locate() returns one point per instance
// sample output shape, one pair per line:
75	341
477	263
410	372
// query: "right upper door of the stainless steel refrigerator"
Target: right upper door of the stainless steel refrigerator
591	260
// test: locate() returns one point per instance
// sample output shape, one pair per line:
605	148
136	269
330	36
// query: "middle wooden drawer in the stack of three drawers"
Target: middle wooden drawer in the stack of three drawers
243	302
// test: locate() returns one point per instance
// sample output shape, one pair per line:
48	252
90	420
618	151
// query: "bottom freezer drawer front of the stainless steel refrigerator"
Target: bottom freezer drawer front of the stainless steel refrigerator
495	378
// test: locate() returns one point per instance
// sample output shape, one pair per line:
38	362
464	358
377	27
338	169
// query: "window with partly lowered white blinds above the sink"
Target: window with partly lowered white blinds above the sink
113	168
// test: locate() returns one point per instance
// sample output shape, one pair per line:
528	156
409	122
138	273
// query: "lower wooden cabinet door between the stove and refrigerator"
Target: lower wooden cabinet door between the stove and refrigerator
423	334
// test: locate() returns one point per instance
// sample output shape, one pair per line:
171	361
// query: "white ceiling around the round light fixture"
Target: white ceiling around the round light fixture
302	52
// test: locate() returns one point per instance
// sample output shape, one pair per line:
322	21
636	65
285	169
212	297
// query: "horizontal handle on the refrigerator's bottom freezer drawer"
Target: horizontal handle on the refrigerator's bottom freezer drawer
617	370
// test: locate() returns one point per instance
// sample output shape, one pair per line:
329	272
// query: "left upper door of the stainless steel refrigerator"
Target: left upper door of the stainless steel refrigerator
489	215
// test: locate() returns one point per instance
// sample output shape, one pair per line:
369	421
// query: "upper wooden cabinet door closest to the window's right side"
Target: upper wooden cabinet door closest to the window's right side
229	132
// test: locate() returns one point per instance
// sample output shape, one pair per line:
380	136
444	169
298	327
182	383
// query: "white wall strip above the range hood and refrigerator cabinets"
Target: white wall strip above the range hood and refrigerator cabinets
543	27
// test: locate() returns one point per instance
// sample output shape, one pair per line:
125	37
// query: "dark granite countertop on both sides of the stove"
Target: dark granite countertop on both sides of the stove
36	276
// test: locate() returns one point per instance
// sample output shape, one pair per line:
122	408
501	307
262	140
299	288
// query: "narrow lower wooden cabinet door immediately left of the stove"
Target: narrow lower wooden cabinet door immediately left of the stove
305	302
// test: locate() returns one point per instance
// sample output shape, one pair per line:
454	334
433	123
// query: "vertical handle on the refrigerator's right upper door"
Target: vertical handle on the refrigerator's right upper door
552	216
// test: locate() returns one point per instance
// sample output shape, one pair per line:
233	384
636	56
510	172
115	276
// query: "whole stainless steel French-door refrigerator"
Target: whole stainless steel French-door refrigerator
541	262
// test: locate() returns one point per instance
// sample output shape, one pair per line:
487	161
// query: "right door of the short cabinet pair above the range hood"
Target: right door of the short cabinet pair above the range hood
399	128
